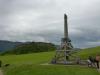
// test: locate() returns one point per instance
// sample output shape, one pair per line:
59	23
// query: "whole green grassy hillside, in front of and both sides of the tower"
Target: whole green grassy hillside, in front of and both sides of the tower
30	64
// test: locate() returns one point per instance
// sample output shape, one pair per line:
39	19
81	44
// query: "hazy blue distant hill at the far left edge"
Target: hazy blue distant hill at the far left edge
5	45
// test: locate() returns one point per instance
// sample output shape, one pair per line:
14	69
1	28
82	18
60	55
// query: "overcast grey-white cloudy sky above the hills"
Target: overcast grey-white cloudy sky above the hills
43	21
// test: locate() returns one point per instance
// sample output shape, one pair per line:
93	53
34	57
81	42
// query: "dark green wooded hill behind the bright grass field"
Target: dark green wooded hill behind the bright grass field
32	47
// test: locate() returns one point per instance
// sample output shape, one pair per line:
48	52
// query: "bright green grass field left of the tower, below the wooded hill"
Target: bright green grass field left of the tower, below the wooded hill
34	58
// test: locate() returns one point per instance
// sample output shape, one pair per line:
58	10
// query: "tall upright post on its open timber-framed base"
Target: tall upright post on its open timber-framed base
62	54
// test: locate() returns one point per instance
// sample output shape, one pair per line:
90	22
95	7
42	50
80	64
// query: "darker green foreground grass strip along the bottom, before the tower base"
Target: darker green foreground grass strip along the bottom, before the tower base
49	70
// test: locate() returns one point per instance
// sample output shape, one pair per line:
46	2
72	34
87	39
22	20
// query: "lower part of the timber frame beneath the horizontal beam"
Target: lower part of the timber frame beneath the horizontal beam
61	57
